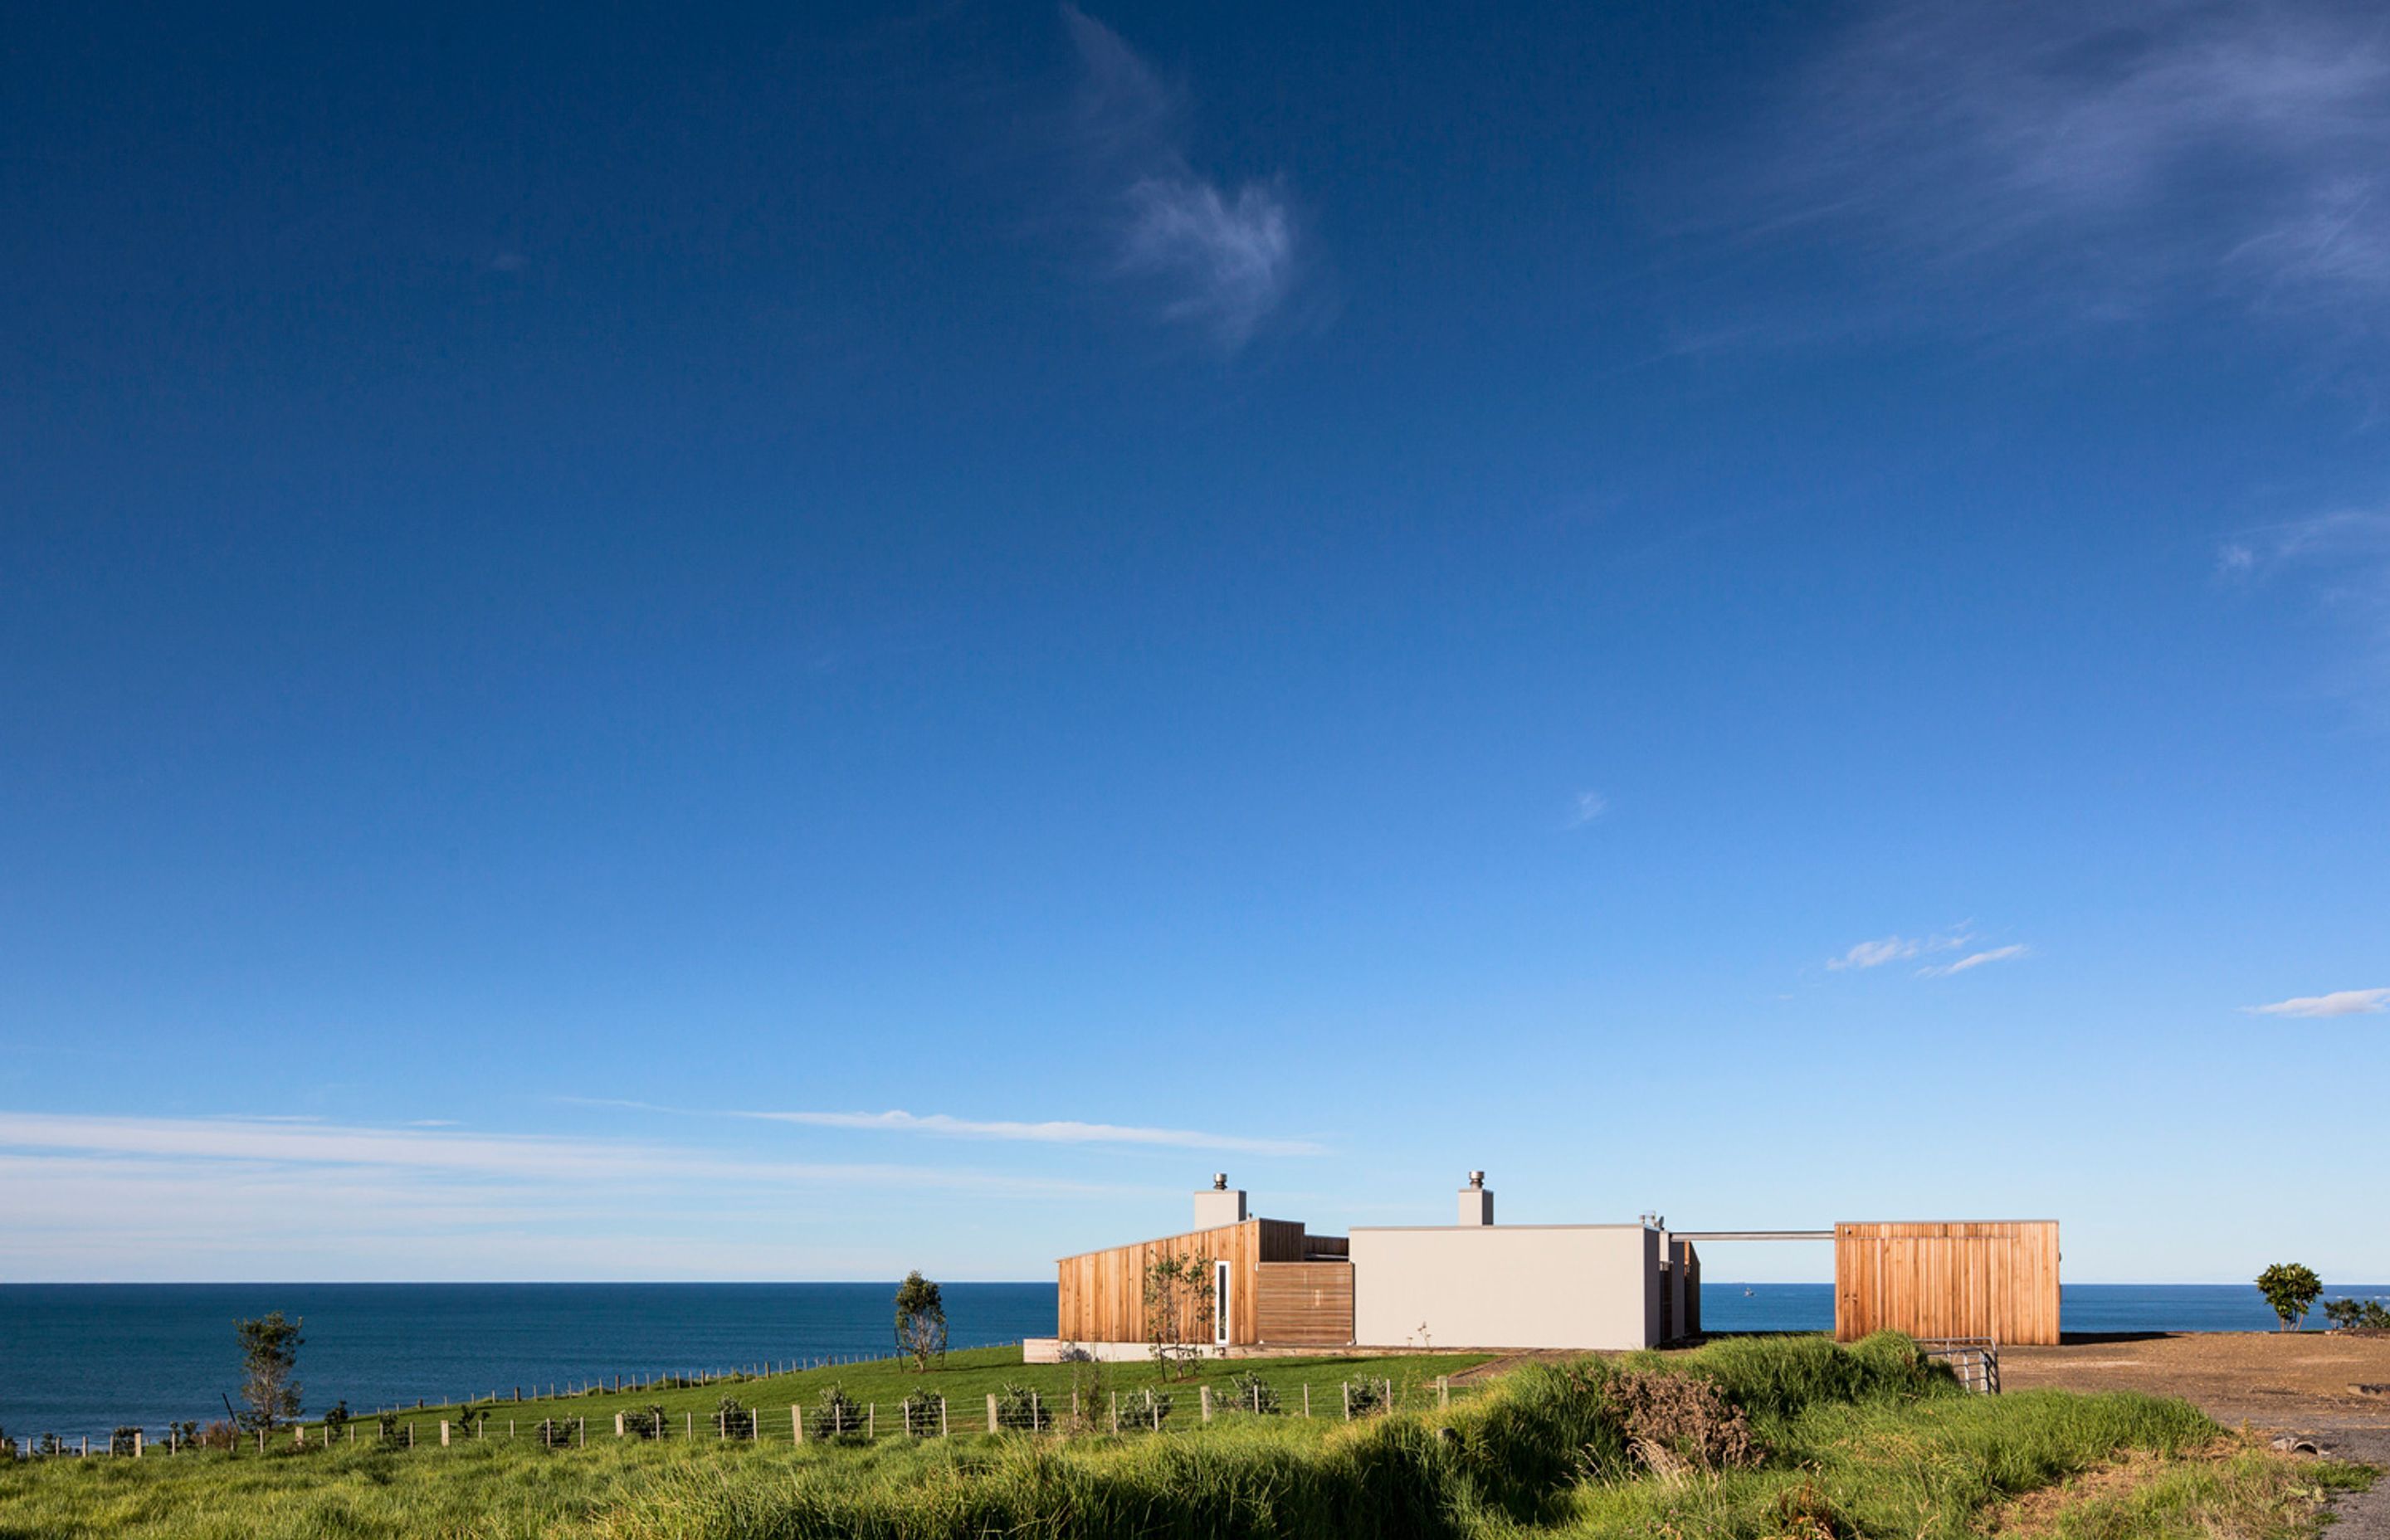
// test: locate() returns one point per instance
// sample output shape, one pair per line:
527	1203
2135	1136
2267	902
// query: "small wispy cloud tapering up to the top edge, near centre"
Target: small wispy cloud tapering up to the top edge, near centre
1213	259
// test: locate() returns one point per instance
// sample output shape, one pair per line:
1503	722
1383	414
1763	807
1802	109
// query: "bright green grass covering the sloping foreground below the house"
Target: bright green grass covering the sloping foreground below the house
1861	1443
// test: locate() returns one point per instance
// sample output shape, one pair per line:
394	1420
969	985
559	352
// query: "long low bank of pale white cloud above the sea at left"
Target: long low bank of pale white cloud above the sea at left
255	1197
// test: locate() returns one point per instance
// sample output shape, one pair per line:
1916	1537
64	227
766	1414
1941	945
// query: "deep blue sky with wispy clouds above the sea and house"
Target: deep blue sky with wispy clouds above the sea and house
797	644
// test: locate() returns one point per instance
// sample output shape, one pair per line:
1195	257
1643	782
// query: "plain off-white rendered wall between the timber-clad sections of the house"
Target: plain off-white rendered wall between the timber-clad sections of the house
1507	1288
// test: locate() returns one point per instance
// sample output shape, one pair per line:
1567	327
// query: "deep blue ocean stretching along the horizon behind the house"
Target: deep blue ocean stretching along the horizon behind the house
80	1359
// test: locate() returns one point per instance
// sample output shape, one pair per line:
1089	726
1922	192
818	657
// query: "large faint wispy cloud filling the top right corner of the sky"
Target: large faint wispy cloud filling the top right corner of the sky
2104	159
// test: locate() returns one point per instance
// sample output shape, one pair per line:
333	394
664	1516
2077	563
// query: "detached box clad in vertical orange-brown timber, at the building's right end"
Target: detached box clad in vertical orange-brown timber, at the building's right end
1947	1281
